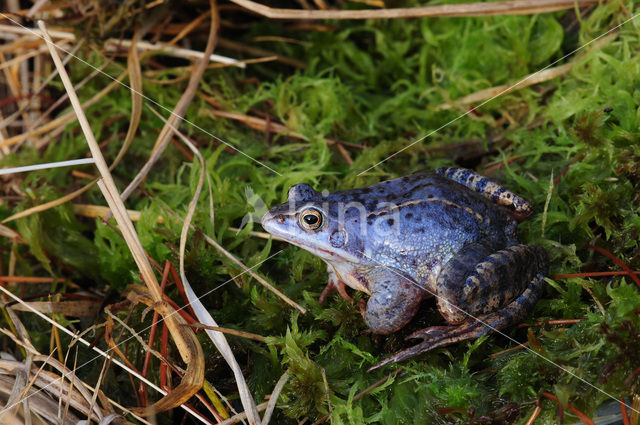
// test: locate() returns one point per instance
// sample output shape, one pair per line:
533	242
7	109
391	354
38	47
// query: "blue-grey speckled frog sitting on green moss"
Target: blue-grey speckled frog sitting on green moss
450	234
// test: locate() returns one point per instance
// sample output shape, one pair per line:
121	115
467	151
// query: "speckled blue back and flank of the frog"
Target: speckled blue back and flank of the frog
417	223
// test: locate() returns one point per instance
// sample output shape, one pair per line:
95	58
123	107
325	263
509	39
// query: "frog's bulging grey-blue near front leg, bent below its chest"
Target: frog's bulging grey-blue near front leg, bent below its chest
394	301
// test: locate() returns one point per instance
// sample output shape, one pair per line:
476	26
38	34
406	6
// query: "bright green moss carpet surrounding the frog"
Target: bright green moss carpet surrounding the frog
380	85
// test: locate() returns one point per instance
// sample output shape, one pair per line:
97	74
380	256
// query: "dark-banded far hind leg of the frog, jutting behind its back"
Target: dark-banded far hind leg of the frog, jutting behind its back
517	206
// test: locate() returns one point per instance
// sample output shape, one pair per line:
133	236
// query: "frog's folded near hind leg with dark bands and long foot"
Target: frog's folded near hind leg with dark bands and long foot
478	297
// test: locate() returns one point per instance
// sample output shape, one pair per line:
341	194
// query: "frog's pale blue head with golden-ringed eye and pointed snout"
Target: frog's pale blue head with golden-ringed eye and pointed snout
311	221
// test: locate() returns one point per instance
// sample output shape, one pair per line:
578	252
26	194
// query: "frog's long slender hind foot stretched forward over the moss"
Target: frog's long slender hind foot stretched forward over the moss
473	327
